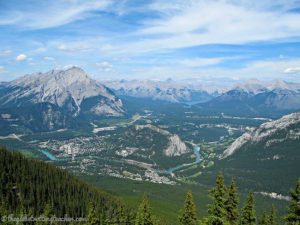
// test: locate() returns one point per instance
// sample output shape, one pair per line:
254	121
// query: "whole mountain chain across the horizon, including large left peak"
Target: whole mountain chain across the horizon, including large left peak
60	99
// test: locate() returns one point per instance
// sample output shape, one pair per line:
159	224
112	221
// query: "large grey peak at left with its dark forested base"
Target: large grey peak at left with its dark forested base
53	100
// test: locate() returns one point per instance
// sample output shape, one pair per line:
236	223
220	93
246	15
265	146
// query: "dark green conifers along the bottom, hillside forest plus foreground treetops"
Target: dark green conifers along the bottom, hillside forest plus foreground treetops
34	188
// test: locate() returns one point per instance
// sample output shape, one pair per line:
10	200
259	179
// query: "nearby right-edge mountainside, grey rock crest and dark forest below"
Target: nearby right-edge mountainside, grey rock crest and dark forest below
266	158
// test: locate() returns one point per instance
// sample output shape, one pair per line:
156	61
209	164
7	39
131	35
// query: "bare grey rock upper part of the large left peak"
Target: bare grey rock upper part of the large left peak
67	89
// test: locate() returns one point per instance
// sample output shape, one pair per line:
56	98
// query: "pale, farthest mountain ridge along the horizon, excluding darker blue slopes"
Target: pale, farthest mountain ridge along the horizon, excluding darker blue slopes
186	91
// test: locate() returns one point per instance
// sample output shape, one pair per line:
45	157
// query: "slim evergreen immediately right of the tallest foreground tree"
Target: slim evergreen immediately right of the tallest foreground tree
231	204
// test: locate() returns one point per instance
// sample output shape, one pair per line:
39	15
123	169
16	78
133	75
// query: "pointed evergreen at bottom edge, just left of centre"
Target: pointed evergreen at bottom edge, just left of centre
144	215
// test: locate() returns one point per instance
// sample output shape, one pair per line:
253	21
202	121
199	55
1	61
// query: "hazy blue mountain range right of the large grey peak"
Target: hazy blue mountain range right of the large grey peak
252	98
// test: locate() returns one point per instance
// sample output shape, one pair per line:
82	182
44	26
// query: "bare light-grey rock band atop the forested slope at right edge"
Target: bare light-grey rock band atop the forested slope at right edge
266	131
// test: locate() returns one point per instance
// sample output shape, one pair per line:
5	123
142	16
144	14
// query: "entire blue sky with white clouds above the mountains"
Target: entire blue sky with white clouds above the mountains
152	39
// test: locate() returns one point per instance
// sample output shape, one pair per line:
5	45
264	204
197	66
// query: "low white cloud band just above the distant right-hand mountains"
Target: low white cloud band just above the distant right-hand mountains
262	69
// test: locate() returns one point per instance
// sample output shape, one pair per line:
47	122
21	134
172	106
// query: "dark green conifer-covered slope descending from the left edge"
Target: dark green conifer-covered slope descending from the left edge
28	187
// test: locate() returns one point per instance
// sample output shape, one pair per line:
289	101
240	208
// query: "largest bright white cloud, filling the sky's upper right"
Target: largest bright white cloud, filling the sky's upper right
191	23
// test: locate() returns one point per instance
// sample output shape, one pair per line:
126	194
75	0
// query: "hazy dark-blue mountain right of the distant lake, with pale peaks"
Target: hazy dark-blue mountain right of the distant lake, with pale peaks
255	98
